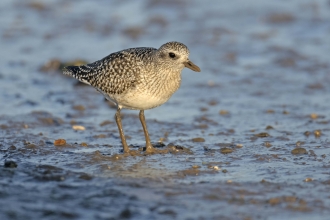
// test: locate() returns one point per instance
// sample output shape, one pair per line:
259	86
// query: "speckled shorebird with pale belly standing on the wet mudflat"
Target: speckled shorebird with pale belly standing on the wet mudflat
138	78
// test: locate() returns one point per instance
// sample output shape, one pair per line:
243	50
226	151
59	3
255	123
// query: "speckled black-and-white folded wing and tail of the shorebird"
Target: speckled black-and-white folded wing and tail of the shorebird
115	73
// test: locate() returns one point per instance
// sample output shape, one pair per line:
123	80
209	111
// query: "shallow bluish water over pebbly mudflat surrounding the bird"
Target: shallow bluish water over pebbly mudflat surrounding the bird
263	92
